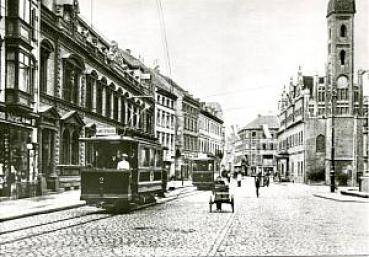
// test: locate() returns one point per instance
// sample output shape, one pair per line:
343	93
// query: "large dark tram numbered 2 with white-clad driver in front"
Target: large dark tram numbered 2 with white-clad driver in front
105	186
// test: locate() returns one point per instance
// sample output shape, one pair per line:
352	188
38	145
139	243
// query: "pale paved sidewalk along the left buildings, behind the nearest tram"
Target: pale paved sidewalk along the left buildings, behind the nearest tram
14	209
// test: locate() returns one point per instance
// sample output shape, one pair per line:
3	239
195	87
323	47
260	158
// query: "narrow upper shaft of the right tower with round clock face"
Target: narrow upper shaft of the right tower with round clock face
340	20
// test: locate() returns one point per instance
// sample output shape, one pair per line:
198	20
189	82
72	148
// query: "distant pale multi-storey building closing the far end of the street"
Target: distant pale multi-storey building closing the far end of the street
256	149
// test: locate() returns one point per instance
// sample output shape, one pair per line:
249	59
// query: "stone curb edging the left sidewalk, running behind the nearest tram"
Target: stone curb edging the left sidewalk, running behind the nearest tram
139	207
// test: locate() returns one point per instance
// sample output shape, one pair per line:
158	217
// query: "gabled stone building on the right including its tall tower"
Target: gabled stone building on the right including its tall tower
322	118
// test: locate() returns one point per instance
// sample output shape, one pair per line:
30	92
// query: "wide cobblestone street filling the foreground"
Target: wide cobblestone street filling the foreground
285	220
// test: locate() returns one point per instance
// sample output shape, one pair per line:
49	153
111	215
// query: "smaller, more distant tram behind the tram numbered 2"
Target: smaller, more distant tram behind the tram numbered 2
204	171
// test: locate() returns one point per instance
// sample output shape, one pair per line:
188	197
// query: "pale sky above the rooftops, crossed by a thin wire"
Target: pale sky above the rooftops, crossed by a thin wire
239	53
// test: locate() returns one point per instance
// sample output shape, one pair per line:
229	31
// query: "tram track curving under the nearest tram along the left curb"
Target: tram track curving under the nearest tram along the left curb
19	234
